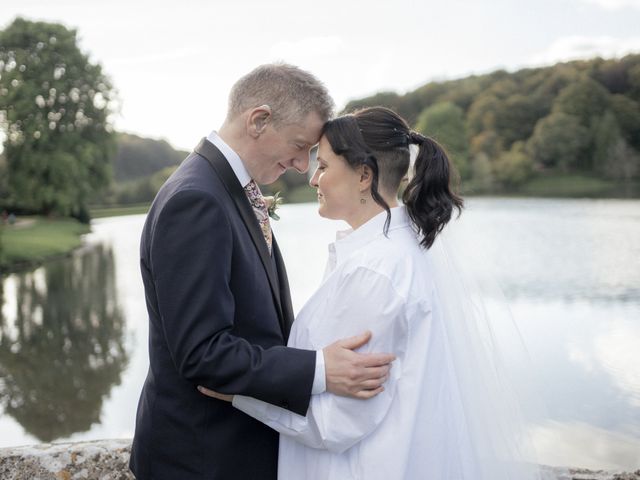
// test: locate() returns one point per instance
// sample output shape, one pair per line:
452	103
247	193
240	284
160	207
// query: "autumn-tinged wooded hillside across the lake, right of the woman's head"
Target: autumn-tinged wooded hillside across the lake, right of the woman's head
503	129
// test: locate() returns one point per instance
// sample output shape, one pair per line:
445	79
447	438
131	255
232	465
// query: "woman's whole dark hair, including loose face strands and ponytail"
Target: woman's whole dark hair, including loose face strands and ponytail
380	138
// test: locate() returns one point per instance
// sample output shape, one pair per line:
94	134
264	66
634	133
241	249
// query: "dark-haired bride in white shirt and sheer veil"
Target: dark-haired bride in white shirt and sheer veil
446	410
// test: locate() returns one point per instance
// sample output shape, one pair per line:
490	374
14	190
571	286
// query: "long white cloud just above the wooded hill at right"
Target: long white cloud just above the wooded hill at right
581	47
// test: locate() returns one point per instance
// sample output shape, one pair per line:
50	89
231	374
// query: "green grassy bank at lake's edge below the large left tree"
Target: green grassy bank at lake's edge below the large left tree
33	239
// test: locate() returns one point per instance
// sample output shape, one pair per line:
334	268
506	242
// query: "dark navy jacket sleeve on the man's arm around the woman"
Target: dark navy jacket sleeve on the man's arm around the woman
190	261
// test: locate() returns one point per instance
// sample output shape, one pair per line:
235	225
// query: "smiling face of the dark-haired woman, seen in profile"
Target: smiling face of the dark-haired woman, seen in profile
337	183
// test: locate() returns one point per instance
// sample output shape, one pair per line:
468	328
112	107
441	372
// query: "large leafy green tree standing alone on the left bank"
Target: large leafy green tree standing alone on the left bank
55	108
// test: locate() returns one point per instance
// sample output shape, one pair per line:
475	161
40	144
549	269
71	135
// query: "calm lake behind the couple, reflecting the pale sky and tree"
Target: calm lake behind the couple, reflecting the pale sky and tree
73	351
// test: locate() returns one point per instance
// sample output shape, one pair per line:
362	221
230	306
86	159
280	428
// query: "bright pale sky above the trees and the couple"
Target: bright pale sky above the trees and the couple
173	62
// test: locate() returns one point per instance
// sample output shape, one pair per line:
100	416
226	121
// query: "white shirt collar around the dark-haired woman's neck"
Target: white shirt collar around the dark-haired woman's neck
349	241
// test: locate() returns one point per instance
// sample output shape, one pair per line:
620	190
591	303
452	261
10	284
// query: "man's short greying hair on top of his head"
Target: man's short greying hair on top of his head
289	91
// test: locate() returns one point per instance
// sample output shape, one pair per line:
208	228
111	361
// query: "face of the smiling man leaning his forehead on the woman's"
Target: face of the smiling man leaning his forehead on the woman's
279	148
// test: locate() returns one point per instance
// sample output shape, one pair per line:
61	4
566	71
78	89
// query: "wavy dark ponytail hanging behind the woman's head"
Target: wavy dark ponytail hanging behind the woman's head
428	196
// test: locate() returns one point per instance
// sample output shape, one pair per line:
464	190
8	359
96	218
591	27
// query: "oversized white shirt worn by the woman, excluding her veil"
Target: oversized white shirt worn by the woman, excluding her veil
415	429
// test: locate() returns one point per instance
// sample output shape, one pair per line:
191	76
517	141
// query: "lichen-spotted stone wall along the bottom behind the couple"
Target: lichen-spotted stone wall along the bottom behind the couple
108	460
